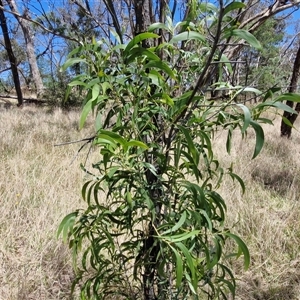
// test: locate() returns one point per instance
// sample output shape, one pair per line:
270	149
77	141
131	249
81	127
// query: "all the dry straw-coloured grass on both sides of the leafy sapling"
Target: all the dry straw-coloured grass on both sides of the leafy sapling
41	183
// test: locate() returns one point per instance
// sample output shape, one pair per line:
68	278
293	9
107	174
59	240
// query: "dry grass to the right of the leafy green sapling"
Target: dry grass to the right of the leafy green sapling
268	215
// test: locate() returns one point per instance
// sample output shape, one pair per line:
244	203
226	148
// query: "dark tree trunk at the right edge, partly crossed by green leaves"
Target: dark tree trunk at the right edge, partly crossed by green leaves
285	129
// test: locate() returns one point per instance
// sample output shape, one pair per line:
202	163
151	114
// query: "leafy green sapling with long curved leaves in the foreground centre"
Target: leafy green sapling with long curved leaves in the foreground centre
154	223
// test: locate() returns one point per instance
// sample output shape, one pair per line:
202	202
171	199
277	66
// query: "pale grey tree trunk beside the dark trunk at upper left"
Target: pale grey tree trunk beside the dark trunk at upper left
25	25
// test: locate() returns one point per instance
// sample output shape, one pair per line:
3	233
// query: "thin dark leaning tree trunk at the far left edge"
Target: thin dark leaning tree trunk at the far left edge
11	56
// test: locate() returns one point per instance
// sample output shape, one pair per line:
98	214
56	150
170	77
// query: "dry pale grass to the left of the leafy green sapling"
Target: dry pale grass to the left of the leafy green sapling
38	187
